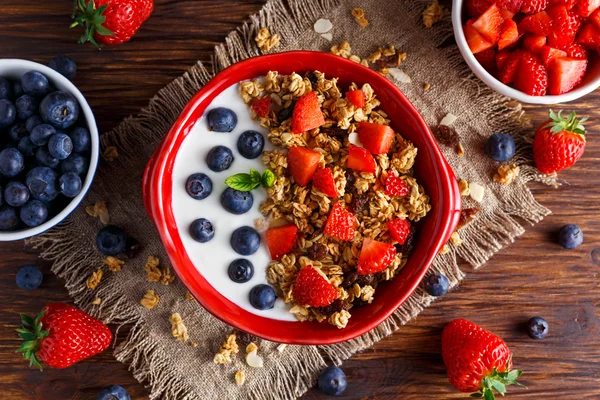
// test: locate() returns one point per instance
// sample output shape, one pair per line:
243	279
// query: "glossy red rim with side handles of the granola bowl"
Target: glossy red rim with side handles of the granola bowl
157	186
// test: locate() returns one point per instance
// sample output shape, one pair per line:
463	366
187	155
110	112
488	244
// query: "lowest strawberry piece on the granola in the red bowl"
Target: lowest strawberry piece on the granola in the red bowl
312	289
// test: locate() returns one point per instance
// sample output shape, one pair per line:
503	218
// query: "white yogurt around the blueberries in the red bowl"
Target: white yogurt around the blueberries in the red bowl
212	258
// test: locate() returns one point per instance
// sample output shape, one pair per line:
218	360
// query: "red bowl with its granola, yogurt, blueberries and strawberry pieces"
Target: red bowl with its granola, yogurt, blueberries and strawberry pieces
301	197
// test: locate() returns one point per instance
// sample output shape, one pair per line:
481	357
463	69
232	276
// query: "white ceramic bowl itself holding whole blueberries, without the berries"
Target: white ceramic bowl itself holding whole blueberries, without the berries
14	69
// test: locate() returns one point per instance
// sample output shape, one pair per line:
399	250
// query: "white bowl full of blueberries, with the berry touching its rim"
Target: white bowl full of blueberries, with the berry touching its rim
49	146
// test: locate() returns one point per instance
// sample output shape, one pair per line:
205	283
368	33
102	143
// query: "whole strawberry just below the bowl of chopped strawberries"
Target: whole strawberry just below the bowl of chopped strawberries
558	143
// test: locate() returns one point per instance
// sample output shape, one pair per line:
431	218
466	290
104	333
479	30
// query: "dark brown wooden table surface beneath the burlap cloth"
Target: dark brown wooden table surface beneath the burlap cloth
534	276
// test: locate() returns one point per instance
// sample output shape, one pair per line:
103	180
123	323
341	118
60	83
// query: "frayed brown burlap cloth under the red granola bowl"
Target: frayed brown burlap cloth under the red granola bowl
175	370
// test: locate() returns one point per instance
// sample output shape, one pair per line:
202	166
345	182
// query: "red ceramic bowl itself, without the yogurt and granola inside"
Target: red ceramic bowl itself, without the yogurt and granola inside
431	169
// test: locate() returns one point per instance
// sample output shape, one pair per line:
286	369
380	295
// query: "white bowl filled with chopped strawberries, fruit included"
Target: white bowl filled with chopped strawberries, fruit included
535	51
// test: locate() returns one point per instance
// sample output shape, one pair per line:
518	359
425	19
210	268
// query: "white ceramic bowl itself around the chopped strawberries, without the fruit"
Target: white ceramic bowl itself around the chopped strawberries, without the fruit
590	82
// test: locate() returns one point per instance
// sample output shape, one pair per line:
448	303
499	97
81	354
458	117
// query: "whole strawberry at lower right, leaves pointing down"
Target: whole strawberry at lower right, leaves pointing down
476	360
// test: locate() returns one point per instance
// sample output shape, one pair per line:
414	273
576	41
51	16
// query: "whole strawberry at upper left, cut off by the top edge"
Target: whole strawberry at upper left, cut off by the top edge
110	21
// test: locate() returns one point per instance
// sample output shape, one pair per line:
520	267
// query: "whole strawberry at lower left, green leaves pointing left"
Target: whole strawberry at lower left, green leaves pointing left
62	335
